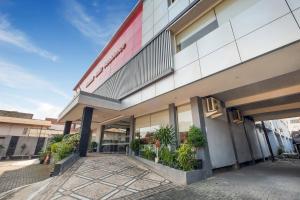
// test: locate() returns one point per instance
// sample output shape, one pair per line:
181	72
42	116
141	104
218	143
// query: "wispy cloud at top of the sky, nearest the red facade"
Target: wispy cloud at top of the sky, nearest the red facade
85	24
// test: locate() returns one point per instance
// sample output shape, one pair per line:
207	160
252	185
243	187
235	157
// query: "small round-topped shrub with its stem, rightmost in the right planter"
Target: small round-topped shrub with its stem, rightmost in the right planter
197	141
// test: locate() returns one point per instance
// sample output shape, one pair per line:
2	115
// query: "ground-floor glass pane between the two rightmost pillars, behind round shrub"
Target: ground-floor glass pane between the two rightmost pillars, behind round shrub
184	115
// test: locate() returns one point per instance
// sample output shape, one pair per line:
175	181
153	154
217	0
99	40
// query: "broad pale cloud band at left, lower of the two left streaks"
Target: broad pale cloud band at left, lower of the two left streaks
14	76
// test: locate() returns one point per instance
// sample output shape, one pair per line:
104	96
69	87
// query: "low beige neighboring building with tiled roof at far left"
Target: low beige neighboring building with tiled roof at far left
22	136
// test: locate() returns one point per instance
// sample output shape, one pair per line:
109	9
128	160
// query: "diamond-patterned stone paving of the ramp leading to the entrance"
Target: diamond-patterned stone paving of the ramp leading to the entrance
107	177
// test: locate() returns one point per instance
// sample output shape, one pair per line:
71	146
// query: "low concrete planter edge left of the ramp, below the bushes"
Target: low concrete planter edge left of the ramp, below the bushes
61	166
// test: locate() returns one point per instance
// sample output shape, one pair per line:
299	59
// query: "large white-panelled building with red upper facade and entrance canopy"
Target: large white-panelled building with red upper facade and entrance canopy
169	58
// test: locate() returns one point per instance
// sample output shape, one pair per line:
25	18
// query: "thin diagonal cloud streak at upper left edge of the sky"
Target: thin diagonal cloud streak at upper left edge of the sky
13	36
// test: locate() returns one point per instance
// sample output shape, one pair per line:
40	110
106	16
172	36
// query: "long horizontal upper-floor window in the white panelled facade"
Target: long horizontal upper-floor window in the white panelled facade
196	30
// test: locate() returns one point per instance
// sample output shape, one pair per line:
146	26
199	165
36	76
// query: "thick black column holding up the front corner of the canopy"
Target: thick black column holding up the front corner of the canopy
85	130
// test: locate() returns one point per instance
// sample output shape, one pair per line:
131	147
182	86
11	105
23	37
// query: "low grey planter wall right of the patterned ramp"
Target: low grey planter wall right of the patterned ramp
175	175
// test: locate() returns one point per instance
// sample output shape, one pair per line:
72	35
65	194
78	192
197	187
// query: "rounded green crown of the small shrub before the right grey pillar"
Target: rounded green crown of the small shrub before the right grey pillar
195	137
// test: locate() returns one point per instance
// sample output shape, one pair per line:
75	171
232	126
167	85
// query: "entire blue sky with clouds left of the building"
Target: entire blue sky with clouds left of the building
46	46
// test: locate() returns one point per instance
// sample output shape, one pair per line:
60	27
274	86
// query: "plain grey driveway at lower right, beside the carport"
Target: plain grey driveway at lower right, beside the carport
279	180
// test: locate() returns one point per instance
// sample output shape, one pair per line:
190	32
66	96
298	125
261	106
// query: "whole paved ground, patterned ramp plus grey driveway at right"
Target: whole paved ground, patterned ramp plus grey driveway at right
118	177
